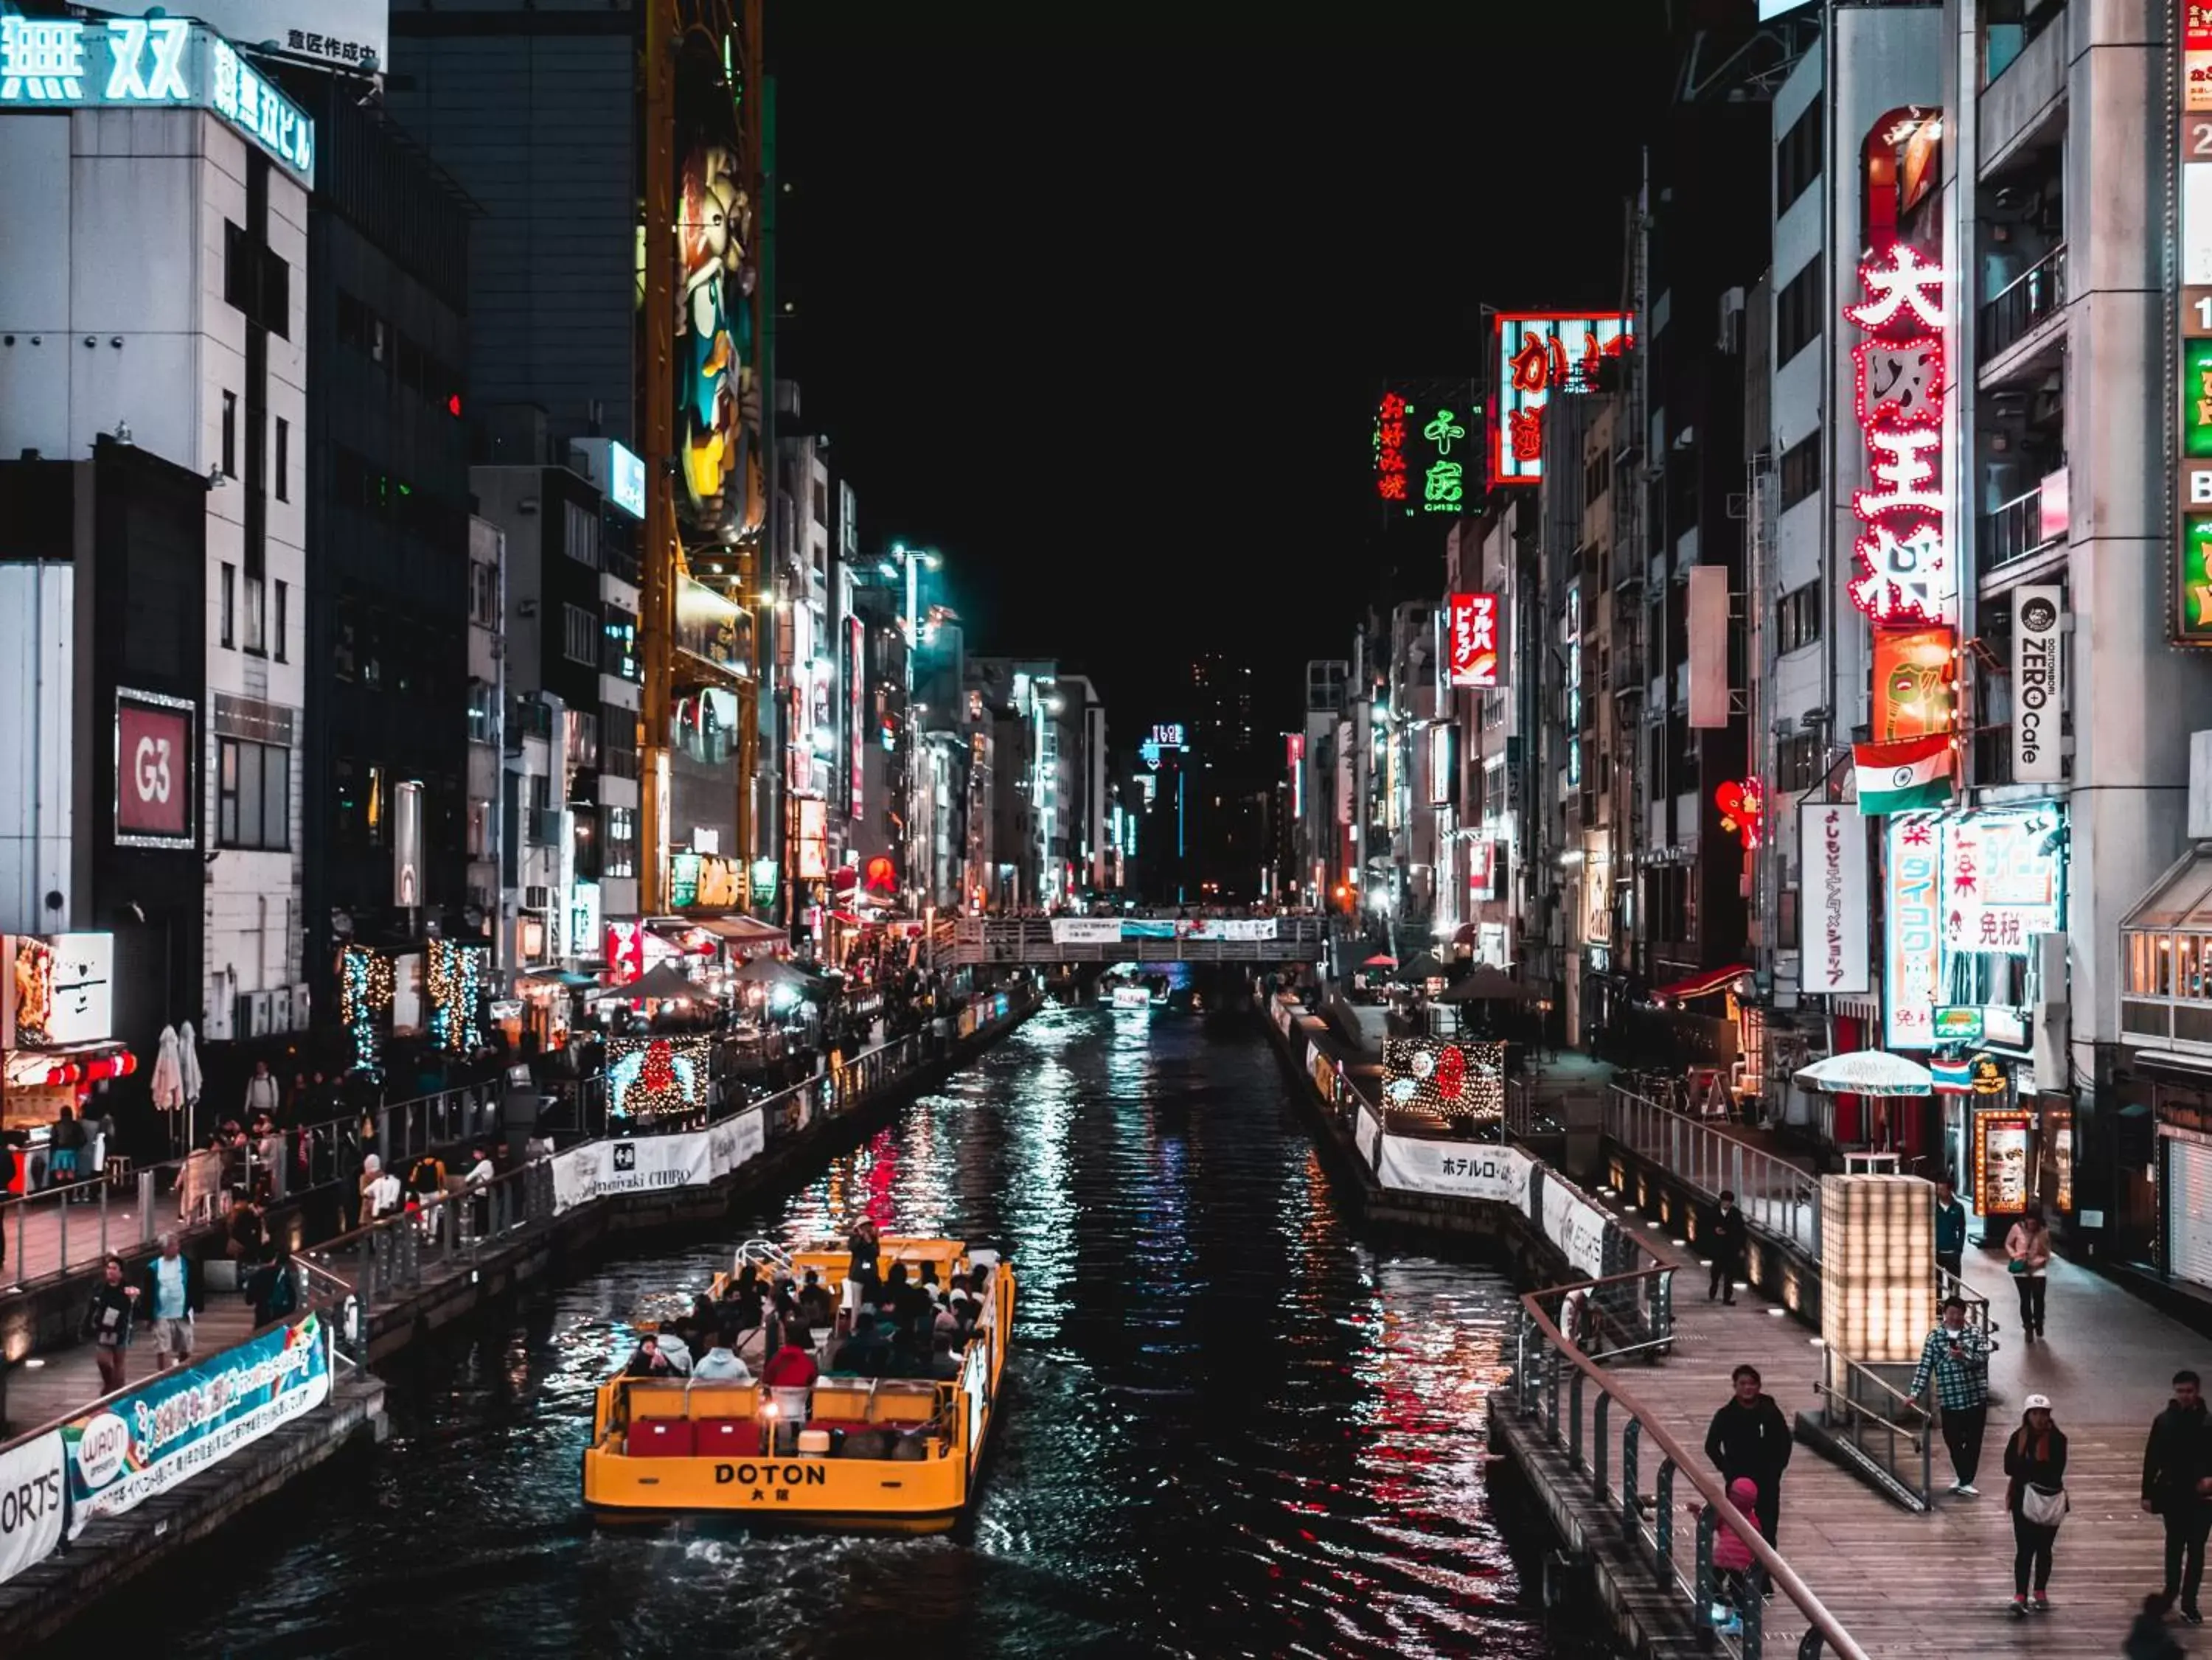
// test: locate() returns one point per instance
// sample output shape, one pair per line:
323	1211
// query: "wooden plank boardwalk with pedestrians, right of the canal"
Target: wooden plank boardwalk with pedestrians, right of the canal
1941	1584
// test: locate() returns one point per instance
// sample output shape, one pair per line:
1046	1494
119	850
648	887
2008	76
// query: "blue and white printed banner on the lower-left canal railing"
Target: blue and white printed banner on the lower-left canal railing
194	1418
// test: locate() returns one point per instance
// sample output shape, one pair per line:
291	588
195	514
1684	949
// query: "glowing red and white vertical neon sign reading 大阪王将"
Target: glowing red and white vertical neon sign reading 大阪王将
1906	560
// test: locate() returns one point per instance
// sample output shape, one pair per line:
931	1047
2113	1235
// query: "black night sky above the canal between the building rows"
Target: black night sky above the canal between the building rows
1096	300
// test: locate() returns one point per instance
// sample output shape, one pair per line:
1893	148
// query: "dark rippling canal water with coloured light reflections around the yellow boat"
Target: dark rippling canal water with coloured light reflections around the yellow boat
1238	1429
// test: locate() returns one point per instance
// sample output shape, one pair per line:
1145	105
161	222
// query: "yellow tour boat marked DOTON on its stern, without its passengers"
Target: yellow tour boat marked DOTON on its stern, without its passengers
875	1453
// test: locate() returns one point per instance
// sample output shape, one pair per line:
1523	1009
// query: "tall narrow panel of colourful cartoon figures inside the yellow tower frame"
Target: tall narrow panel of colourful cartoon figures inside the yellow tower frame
722	485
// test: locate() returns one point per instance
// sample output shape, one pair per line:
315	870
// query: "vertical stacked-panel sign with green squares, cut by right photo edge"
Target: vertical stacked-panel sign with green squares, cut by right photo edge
2191	585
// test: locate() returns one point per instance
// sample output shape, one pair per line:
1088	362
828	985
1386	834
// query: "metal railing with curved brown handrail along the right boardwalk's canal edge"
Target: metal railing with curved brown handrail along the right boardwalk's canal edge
1607	1436
